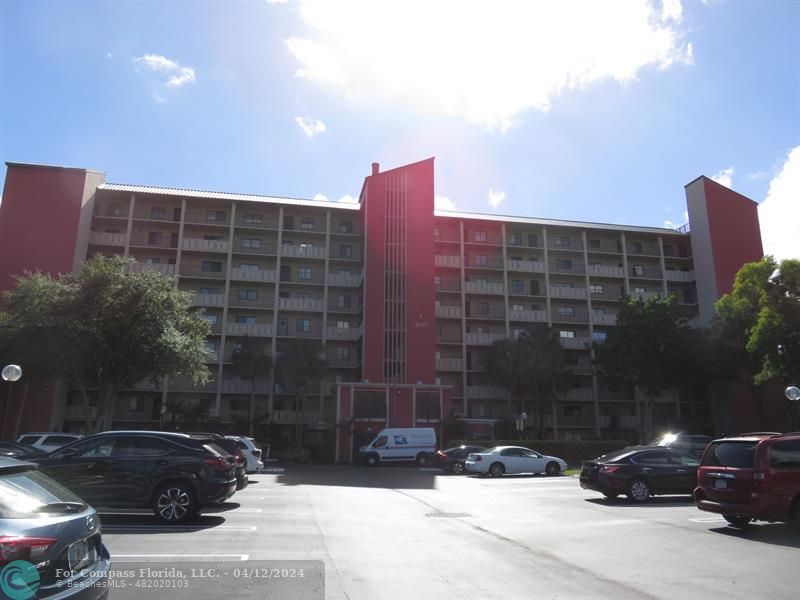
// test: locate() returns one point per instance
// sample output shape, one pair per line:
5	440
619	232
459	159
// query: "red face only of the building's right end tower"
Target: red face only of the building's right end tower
735	232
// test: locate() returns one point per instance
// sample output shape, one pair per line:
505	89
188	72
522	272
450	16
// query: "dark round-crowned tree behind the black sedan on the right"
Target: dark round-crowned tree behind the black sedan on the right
645	350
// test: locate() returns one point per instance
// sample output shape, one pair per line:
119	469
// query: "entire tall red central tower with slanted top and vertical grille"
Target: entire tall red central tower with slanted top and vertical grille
399	296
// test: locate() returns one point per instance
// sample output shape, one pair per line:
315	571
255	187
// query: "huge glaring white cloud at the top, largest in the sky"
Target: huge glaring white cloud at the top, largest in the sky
486	62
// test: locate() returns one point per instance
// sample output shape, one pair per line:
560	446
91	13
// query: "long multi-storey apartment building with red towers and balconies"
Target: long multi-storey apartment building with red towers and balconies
404	299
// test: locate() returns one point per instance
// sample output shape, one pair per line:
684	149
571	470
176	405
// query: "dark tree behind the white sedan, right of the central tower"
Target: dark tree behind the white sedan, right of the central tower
531	368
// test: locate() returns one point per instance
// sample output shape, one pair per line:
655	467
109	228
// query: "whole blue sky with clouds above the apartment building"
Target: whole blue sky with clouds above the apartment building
593	111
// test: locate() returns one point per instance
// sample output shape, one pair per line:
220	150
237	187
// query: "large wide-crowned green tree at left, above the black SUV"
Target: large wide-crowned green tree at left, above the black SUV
105	328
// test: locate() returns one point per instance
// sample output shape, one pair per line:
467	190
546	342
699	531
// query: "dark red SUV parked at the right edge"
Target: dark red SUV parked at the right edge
751	477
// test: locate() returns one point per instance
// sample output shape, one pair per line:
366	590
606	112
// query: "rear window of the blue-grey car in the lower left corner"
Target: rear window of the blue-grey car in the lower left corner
29	494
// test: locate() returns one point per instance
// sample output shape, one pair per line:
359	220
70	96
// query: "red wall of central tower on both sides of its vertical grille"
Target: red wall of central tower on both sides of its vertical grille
420	293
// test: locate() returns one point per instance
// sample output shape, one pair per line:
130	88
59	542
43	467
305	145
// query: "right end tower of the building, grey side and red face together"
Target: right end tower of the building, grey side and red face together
725	235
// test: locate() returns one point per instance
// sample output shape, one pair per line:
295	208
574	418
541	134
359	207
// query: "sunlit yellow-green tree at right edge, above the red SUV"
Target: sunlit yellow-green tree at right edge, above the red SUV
762	313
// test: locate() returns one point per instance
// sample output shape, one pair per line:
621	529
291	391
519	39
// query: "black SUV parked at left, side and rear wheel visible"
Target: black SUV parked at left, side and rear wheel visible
175	474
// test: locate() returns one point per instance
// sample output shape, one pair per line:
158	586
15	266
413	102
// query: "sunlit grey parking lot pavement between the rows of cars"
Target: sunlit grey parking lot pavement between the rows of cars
401	532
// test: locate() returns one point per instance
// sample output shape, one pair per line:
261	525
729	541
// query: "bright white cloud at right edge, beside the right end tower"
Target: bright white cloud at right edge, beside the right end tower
779	213
